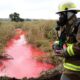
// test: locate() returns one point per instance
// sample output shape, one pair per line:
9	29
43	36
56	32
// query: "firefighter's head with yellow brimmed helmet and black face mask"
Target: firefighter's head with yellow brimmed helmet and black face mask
67	13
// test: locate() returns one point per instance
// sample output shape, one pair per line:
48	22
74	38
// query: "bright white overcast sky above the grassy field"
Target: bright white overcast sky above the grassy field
34	9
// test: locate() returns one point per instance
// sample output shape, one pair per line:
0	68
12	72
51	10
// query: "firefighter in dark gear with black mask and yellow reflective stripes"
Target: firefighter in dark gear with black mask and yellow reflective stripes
71	52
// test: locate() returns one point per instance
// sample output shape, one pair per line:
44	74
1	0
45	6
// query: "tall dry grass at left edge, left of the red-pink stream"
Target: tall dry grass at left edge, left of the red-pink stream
7	31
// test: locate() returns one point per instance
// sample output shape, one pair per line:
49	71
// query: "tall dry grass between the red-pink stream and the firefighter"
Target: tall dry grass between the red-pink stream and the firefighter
40	33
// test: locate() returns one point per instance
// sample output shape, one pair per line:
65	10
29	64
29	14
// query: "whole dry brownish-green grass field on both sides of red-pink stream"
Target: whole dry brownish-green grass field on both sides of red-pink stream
39	33
